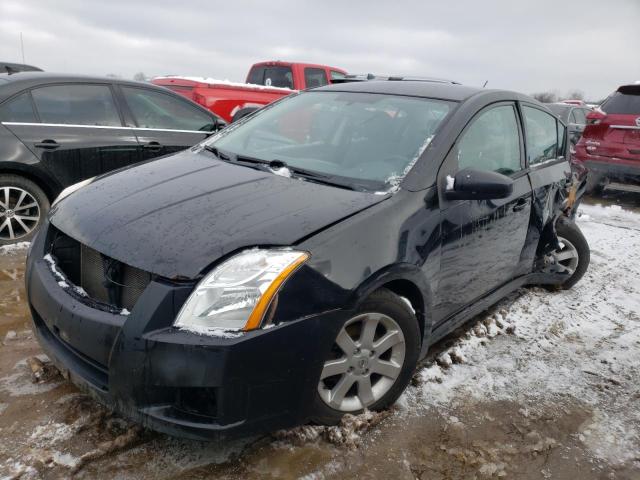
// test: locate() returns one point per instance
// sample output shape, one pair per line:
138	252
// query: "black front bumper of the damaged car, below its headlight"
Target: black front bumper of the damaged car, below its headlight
173	381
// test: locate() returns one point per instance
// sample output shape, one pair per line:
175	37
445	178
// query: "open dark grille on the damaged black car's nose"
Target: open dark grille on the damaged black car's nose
104	279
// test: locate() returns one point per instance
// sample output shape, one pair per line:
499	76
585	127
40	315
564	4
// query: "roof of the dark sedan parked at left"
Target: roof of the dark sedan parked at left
16	82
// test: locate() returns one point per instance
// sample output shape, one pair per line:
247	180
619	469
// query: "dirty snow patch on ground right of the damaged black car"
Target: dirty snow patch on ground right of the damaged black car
581	343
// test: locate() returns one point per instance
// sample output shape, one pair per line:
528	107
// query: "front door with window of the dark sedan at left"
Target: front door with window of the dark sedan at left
165	123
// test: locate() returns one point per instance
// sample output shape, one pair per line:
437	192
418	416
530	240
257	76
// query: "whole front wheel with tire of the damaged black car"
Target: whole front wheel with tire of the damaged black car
395	321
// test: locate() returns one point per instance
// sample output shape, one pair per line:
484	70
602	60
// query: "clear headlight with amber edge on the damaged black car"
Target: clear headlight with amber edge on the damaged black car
237	294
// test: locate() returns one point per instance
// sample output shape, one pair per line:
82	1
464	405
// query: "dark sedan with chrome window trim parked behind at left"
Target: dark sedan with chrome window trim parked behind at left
56	130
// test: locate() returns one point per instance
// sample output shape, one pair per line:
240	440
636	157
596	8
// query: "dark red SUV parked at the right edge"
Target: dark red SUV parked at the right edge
610	144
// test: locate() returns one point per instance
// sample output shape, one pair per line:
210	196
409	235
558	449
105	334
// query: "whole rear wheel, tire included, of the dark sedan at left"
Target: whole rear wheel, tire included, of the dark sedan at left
23	207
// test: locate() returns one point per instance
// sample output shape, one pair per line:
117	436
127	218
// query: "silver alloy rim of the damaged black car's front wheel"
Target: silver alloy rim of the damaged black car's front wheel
366	359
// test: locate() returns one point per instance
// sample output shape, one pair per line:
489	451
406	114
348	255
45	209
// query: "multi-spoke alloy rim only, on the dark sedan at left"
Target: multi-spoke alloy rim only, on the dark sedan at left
19	213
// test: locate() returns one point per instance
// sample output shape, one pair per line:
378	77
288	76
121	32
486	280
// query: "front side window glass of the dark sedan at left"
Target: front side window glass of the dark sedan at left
158	110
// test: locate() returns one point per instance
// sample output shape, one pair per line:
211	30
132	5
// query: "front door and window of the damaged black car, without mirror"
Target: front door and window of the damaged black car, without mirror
482	240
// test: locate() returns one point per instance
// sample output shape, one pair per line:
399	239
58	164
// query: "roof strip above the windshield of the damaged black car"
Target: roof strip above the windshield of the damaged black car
412	88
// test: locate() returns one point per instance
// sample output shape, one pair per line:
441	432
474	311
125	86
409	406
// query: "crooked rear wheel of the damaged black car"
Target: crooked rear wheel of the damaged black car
573	256
